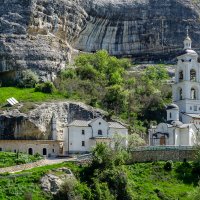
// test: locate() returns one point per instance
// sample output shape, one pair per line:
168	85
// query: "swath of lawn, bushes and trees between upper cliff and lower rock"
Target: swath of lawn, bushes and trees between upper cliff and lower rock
103	81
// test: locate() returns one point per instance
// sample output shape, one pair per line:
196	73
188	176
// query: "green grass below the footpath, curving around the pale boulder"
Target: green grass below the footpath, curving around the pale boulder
26	184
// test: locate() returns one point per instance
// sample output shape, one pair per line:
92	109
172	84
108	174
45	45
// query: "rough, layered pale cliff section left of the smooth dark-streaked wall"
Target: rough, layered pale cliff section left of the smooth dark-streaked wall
36	34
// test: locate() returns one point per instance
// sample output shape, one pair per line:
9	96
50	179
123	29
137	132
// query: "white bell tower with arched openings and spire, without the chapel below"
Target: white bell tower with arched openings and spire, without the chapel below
186	90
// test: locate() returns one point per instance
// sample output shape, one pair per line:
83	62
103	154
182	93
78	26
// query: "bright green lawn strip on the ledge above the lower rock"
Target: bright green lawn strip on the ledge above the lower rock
26	95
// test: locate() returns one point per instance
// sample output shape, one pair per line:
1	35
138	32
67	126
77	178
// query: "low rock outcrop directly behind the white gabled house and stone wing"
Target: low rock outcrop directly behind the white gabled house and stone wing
38	123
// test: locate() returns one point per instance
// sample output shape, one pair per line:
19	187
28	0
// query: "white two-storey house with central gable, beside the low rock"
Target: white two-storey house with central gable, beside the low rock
81	136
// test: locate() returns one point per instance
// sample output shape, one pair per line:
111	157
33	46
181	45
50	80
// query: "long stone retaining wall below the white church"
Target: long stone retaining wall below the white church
162	155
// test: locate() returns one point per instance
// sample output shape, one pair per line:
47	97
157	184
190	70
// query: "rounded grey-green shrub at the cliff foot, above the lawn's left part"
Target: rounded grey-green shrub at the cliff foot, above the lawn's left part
28	79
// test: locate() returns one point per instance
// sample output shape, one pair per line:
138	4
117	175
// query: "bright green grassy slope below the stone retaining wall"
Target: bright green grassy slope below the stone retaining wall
153	182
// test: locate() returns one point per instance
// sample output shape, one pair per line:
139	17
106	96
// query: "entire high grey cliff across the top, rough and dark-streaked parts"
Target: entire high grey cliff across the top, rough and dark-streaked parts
42	35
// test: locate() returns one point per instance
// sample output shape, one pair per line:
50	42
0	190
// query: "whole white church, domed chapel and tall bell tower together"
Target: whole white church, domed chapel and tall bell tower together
183	115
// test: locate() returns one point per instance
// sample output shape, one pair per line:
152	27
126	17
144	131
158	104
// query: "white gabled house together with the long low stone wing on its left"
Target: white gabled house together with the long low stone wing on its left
78	137
